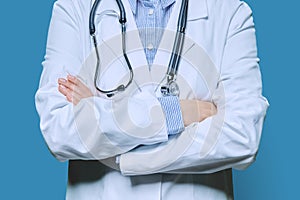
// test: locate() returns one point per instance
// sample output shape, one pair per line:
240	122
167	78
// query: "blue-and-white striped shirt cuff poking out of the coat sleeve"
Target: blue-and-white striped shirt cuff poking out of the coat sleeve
171	108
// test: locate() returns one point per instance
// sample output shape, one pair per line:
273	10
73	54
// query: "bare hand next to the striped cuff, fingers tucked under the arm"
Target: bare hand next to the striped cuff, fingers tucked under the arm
196	111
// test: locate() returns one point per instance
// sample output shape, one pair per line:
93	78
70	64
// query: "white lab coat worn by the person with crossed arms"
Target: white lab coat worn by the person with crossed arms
195	164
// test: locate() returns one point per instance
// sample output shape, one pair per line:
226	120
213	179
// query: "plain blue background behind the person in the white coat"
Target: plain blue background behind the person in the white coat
28	171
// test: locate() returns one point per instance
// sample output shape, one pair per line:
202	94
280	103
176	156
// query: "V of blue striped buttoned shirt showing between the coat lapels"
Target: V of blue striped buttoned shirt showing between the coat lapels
151	18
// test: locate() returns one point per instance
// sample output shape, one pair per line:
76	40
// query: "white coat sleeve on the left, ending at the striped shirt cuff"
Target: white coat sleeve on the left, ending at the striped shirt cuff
96	128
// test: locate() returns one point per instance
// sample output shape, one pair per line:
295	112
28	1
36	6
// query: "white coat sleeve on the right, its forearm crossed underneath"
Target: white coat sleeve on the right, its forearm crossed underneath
229	139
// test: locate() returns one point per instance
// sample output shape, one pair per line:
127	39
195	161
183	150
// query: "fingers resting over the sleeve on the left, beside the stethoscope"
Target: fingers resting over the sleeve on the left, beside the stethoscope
73	89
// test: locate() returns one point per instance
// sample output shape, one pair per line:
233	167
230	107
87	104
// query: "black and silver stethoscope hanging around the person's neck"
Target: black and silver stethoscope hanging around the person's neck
170	87
